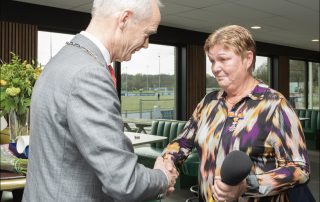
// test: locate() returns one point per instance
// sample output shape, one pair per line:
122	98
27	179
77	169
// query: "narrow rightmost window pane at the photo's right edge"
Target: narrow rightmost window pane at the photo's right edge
313	85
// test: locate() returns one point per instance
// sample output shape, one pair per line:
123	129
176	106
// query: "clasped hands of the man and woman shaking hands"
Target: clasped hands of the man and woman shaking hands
167	166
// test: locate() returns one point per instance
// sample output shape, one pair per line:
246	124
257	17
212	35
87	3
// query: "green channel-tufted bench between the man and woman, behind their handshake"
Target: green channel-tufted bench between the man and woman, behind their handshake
169	128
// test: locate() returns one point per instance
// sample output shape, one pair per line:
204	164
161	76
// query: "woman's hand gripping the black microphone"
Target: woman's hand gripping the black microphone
223	192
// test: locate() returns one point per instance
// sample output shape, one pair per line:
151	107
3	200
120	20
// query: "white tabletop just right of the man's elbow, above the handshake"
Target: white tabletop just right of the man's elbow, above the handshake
139	138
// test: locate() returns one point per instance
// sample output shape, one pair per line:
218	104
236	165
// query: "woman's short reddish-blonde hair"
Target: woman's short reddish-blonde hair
233	37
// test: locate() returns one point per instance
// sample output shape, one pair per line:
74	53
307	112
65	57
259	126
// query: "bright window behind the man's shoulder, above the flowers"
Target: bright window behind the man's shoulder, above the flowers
49	43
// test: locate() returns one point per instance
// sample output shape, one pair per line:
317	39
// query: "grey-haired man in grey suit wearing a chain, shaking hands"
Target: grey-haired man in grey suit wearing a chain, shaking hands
78	151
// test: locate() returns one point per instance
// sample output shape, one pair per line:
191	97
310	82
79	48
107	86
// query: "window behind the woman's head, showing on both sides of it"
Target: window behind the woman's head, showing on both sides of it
262	72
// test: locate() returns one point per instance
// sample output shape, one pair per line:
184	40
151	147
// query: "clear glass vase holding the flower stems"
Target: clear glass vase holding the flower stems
18	125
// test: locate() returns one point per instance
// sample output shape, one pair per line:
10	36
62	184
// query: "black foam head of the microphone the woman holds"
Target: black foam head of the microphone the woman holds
235	167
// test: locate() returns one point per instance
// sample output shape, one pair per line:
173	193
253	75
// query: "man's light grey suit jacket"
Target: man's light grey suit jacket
78	151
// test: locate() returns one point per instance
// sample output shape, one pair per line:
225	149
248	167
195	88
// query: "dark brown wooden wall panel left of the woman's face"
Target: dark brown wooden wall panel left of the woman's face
196	74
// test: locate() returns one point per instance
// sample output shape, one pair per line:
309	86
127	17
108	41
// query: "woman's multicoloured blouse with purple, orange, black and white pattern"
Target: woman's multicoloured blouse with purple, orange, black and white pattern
263	125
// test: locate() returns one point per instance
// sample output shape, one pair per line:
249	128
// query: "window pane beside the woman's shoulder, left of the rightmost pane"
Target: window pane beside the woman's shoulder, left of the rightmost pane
297	94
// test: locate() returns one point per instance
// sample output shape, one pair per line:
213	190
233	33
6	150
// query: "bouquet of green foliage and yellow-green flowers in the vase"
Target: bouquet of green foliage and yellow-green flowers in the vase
16	82
